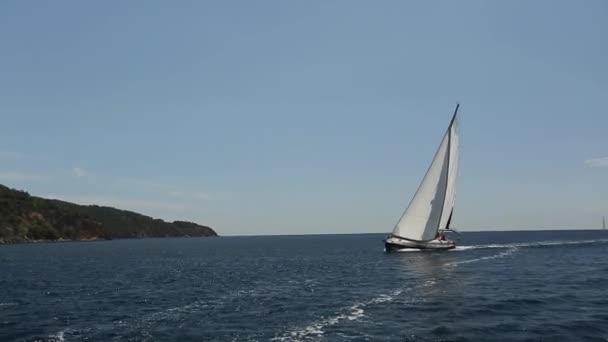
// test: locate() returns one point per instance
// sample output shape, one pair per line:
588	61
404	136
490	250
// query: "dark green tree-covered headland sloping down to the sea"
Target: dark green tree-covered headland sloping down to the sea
26	218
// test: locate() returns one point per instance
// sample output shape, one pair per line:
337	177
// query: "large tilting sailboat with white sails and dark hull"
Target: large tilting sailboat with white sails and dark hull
428	216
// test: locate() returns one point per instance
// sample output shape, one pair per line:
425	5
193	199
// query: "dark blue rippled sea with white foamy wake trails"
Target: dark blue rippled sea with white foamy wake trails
495	286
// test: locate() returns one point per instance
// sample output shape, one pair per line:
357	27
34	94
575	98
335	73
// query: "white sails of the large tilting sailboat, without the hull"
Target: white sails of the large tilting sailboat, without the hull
432	205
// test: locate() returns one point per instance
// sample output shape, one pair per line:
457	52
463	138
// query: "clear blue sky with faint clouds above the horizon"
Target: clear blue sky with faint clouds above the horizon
307	117
